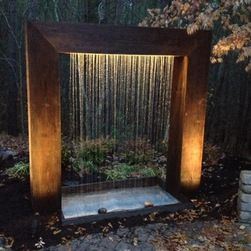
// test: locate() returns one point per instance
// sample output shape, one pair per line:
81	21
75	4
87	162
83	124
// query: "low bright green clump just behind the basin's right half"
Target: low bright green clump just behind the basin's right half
125	171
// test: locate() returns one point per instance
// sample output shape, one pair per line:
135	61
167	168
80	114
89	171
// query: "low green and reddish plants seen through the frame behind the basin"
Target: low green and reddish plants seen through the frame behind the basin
104	155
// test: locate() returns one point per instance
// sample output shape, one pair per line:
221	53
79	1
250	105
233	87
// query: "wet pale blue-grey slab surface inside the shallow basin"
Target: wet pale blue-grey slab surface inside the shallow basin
124	199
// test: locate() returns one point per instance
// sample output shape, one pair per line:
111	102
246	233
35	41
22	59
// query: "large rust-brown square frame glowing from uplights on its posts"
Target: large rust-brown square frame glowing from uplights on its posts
44	42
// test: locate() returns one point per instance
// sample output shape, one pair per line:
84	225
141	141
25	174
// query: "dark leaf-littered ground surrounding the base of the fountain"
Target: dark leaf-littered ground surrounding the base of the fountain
214	207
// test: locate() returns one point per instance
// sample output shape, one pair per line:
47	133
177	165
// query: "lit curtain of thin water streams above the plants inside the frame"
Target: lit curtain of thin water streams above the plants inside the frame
120	96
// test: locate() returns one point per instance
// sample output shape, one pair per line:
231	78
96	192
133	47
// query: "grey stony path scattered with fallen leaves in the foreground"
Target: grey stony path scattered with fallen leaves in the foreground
198	235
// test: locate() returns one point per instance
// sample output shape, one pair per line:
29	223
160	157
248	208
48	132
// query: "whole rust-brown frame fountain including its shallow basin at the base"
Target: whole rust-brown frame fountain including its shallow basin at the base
190	59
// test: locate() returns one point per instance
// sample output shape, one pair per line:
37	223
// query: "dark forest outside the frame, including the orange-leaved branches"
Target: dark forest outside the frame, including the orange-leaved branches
228	121
